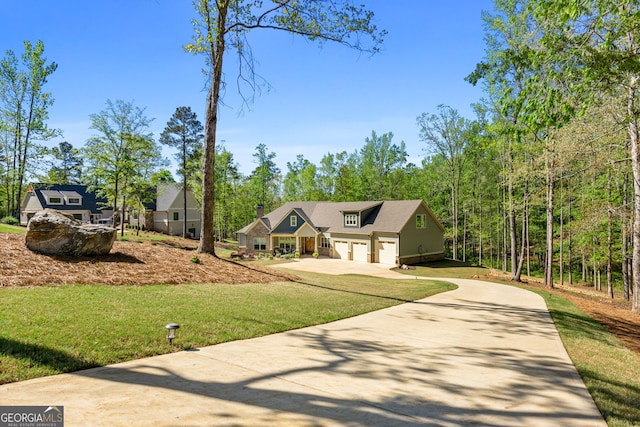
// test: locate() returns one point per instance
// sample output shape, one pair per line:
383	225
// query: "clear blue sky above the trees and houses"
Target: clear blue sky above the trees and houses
320	100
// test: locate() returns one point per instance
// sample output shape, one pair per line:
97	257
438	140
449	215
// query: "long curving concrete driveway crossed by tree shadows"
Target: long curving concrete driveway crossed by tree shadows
484	354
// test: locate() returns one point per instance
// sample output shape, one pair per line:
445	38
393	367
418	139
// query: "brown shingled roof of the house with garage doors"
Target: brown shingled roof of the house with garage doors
385	216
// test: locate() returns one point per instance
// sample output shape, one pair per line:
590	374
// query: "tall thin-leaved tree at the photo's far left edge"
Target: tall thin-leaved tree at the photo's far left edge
23	114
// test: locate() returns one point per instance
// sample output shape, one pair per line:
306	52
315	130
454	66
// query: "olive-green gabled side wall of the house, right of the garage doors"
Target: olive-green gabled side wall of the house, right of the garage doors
421	244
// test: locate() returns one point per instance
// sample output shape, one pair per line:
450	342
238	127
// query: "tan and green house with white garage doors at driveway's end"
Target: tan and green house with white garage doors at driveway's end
386	232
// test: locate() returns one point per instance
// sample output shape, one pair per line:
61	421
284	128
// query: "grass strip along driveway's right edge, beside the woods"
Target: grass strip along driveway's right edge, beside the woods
610	370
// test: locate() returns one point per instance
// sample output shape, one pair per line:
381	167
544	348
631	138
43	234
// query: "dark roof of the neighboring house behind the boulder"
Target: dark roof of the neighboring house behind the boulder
90	201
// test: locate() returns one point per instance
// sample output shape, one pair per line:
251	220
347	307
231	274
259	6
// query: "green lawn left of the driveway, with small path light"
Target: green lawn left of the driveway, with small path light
49	330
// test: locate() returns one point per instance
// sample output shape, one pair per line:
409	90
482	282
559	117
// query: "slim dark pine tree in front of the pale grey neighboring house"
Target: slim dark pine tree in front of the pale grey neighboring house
184	133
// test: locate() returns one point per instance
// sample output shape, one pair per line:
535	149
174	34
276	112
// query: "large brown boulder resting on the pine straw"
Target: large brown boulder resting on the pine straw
54	232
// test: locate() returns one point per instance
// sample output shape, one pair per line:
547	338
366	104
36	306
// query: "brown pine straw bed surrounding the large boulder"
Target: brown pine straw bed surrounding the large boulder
129	263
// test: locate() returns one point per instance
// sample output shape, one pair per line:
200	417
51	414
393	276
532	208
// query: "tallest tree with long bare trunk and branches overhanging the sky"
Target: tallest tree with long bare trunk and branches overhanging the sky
226	23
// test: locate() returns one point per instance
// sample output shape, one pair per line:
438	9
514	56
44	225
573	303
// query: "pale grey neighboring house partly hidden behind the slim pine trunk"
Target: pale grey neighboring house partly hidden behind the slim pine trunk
168	215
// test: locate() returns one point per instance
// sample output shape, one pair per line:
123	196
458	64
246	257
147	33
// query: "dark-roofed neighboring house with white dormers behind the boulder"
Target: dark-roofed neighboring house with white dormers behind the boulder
69	198
